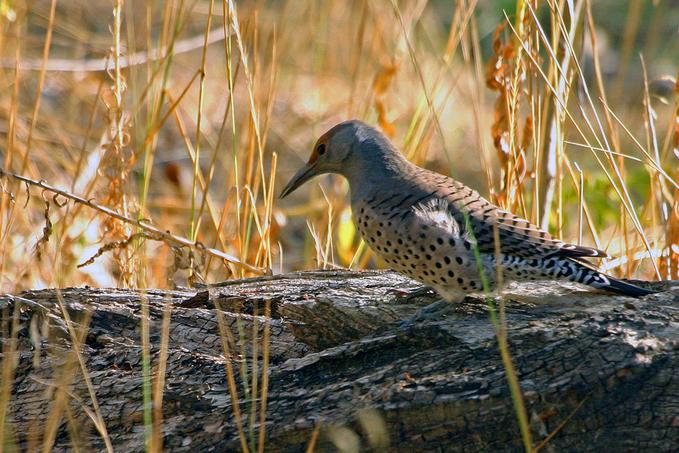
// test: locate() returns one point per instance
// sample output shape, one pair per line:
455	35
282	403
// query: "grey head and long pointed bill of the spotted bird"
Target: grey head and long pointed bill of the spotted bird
332	153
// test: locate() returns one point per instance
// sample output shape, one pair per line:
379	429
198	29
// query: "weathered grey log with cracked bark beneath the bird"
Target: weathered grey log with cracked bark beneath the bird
598	372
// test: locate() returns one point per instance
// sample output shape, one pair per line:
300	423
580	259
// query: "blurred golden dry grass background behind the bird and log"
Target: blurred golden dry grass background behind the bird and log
188	116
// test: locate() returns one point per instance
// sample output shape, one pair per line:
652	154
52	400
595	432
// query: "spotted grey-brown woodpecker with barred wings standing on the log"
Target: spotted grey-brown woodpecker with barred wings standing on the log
439	231
